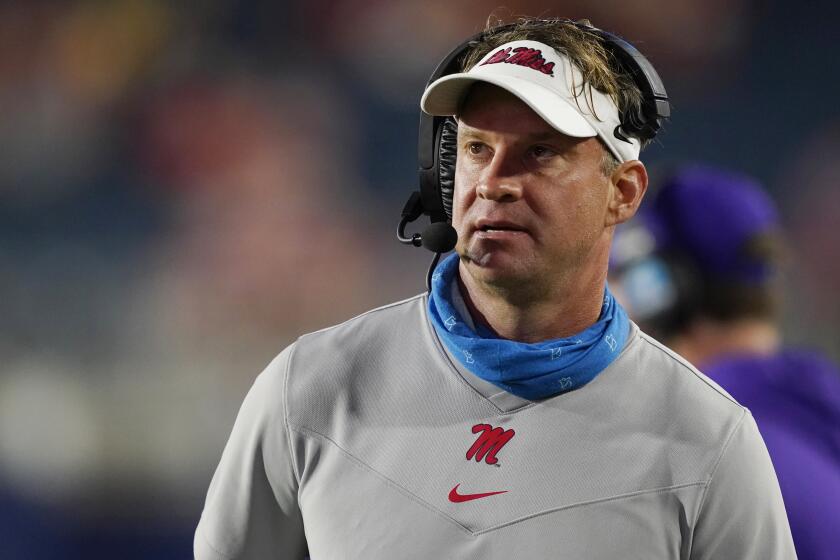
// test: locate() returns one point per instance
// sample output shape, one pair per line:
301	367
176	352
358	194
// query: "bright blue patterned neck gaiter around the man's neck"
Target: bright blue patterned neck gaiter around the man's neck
528	370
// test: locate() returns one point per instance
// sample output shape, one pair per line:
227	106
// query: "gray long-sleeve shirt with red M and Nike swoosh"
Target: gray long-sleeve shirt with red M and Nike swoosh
369	437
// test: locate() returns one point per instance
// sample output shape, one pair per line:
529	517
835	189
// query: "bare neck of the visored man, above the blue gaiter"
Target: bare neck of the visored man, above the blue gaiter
562	311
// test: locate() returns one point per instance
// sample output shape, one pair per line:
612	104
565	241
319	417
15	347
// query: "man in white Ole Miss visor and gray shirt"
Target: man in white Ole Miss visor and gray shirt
514	411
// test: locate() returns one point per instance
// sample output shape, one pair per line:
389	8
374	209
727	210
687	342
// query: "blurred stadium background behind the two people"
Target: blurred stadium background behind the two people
186	187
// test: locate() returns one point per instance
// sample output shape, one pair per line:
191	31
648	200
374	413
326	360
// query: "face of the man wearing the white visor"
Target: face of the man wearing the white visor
530	203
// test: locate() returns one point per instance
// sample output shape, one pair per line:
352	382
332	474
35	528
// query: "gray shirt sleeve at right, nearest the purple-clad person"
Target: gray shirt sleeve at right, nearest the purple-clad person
742	516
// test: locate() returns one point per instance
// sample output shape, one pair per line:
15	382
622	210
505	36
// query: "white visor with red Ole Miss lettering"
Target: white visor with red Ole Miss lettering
547	82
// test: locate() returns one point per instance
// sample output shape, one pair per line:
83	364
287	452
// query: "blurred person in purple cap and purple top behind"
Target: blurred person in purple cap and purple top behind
714	300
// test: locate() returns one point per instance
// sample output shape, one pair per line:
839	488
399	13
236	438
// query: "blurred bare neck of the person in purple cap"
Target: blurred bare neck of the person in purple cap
707	339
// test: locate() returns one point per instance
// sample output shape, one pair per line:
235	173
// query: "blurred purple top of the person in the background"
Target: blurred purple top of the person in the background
795	399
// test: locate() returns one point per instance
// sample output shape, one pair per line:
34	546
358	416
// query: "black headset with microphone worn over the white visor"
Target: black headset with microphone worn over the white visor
437	147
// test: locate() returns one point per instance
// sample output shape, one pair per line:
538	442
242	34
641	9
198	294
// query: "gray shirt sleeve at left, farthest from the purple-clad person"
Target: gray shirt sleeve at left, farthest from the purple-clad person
251	508
